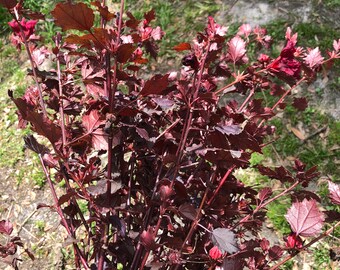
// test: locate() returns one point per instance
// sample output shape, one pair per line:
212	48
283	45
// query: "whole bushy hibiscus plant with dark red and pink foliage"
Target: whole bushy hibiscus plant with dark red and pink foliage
153	155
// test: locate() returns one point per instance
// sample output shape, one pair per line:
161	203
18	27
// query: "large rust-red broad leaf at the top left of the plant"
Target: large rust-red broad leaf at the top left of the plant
73	16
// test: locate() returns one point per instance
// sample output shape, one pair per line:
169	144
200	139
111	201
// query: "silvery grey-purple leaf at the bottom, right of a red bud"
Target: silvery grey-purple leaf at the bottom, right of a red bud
225	240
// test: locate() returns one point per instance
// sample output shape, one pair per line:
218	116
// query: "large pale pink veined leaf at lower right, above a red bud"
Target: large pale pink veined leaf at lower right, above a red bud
305	218
